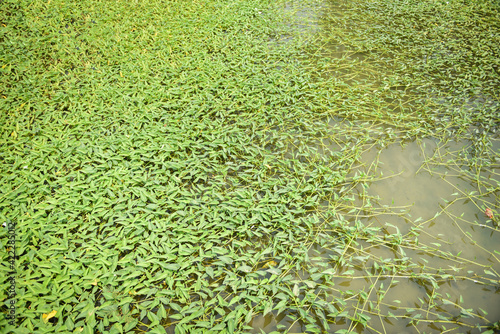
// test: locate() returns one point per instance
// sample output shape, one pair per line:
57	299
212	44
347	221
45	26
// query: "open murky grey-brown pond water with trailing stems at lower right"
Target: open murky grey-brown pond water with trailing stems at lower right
415	191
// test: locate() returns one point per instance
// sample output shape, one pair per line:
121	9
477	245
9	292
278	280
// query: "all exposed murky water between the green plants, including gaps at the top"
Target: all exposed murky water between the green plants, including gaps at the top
425	186
